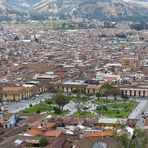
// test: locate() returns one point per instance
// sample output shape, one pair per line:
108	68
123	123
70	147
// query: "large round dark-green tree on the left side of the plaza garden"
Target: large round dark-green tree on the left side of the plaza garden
61	100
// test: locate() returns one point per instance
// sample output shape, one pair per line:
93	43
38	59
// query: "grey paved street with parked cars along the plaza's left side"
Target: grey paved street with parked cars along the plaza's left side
13	107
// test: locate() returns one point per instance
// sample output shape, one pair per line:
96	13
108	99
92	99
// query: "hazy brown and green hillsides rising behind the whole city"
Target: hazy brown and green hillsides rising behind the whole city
87	9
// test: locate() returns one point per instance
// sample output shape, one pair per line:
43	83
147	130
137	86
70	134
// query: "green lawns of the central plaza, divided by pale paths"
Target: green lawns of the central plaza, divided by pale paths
107	107
